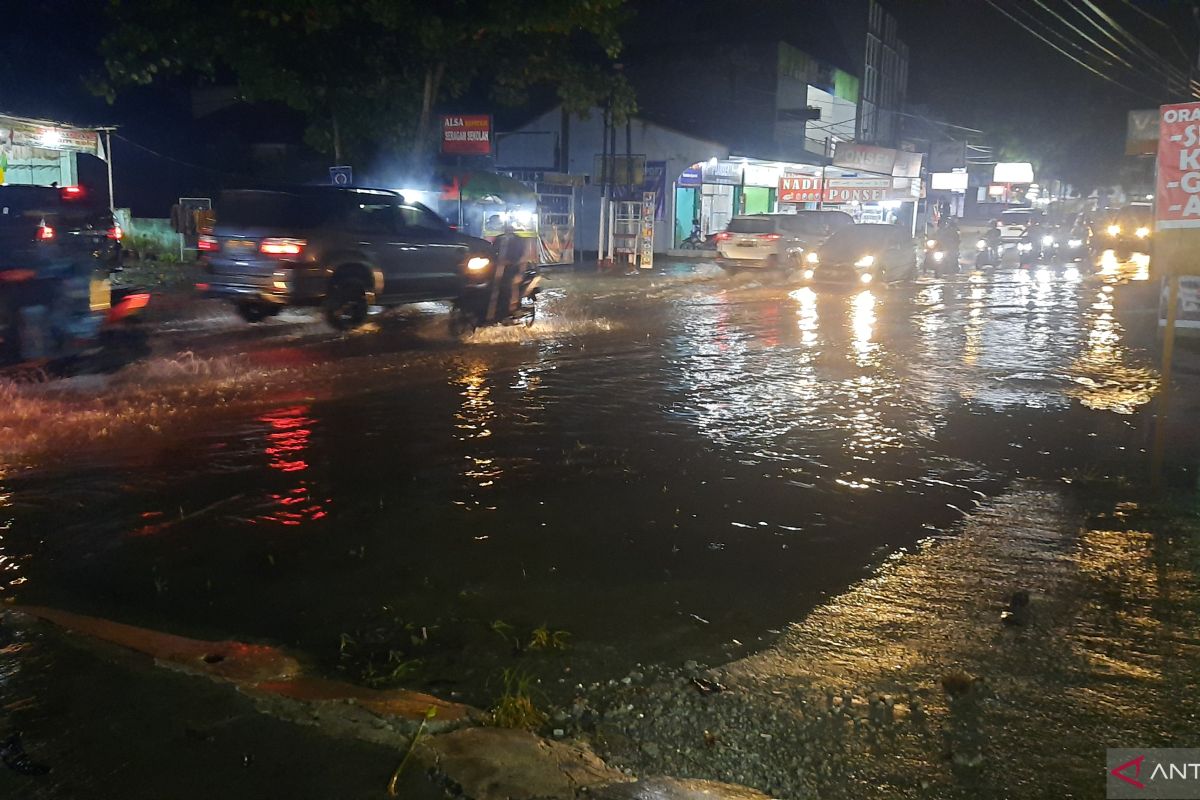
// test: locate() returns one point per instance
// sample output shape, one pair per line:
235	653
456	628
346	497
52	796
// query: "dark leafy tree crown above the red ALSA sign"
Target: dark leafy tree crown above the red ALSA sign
371	74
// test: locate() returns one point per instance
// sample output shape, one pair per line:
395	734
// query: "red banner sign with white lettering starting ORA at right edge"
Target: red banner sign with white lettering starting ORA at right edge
1178	200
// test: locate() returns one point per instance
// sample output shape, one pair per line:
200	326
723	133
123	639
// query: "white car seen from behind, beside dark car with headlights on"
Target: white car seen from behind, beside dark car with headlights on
777	240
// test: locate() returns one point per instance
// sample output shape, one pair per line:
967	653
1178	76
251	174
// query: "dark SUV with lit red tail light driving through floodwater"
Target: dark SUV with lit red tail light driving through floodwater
340	249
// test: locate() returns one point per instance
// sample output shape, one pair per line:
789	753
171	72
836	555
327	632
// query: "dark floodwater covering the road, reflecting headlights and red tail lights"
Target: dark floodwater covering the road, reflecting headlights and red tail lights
665	467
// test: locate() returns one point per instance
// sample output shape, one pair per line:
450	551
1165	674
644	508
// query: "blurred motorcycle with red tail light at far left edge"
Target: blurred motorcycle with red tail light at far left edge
67	326
